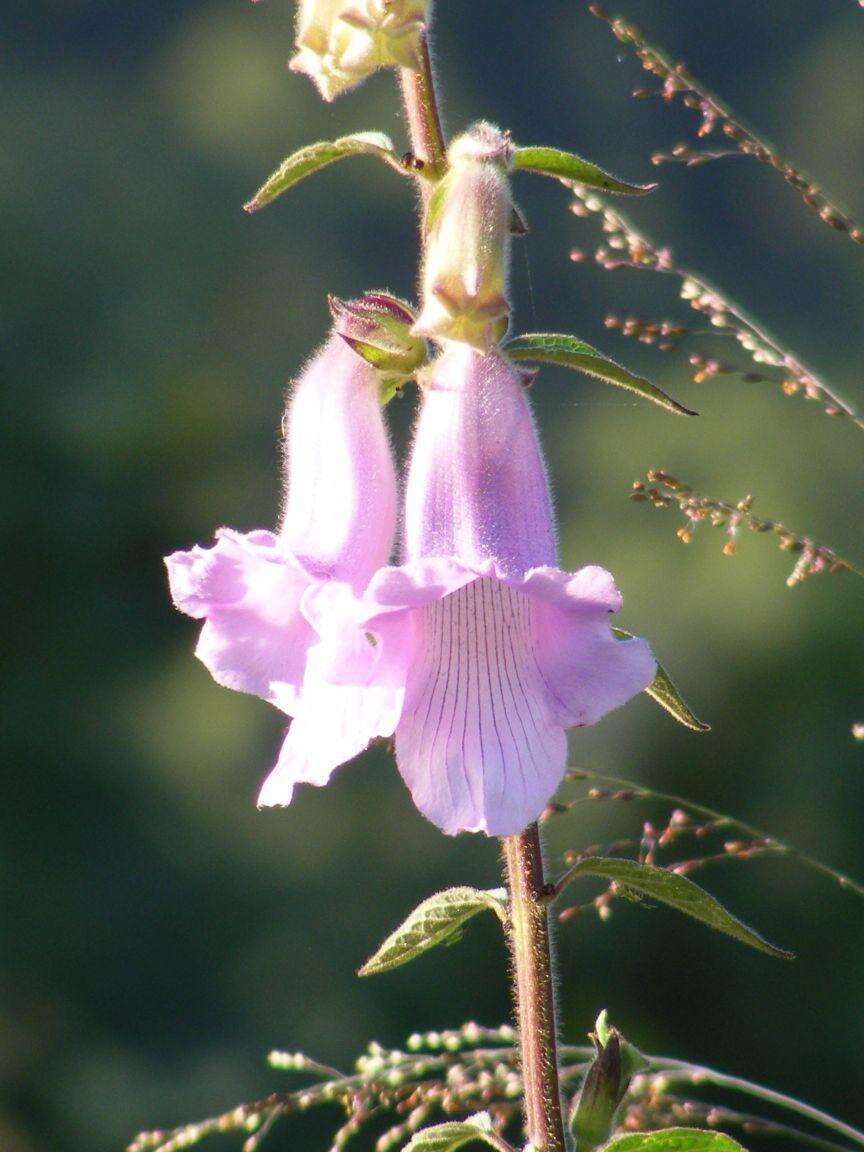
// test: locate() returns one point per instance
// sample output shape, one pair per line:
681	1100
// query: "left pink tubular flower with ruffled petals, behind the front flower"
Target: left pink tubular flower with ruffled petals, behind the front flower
338	528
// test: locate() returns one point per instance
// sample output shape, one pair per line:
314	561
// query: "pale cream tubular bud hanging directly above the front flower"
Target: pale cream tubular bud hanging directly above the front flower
469	218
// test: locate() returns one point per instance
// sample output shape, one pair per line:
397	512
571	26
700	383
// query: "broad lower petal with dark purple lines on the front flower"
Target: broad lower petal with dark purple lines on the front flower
476	745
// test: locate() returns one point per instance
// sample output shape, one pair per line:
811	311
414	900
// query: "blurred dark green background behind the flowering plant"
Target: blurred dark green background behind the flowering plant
160	934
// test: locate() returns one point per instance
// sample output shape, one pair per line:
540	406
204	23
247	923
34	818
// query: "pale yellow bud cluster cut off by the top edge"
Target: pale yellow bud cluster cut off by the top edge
340	43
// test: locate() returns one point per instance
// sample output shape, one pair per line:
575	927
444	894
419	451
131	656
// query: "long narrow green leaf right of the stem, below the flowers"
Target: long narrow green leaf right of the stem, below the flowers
676	891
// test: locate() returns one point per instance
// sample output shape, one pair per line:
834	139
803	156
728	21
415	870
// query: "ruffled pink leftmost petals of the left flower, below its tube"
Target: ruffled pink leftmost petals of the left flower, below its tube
248	590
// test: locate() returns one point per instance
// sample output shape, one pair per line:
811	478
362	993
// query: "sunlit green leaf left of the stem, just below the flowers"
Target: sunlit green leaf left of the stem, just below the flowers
436	921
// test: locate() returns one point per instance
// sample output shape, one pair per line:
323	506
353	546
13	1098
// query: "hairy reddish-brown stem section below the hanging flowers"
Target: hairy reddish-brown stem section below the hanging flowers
529	938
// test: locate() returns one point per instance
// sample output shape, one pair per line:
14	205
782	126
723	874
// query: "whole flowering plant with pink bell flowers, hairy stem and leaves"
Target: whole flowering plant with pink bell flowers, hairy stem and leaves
472	650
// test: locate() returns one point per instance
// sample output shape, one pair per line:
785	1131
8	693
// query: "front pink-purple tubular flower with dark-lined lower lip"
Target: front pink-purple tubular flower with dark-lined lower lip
489	651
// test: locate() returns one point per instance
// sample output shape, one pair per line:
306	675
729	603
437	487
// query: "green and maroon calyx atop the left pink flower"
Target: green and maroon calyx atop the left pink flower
378	328
